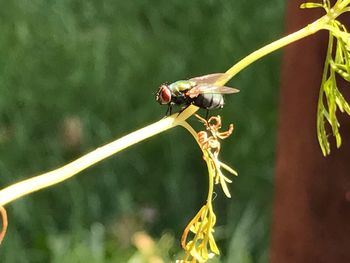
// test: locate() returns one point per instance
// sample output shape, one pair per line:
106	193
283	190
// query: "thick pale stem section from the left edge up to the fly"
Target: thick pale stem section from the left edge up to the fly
36	183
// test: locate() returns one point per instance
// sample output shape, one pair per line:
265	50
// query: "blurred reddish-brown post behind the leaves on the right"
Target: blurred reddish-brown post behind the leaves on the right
311	218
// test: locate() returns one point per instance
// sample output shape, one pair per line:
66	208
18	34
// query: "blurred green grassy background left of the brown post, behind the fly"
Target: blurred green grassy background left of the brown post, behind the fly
75	75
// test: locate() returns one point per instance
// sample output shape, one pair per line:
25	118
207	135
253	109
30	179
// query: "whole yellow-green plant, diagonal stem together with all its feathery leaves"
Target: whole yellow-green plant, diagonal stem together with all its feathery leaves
198	239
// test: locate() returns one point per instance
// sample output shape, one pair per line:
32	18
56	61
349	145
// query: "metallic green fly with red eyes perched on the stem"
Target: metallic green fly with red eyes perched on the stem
200	91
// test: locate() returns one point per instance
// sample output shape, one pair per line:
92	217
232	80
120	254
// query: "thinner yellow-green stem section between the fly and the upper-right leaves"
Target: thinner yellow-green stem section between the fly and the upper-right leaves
302	33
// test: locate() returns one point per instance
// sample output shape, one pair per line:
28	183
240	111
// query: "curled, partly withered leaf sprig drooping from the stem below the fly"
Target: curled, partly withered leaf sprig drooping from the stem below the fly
202	246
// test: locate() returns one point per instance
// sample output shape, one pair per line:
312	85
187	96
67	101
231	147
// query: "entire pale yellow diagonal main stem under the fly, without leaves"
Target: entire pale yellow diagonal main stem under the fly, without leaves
36	183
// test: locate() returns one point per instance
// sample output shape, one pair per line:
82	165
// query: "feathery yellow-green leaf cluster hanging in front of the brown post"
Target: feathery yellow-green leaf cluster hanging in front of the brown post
336	65
